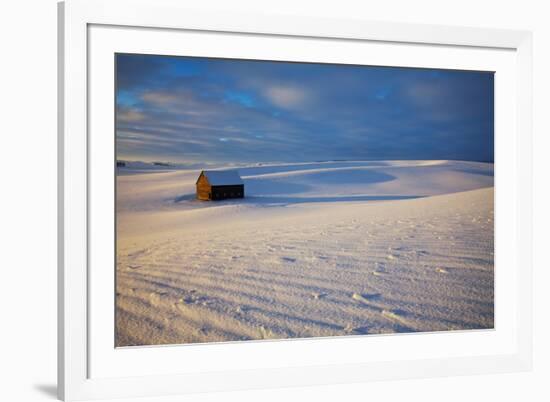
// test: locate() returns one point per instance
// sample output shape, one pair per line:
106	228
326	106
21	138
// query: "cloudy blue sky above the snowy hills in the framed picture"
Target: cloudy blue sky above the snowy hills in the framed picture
199	110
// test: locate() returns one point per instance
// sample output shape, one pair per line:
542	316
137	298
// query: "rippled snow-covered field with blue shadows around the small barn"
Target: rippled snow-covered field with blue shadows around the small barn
315	249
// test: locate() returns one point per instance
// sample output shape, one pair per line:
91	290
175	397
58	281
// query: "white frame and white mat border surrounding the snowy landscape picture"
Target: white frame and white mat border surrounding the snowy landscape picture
78	330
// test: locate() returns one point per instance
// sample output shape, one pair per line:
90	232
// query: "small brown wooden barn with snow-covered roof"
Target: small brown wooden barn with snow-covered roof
219	185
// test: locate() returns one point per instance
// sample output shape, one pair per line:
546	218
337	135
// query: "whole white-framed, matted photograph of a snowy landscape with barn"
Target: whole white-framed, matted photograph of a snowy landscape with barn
252	201
